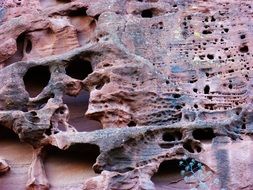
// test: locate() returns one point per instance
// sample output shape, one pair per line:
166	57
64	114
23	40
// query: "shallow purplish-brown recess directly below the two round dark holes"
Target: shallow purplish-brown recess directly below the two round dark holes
77	108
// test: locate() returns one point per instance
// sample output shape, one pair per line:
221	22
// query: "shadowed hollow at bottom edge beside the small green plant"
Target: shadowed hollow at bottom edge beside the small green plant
168	176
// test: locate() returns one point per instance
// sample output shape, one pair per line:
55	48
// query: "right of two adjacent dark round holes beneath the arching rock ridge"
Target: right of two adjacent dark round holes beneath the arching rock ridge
79	69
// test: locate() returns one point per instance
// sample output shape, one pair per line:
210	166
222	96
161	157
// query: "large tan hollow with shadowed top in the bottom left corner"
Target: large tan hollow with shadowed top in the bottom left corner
18	155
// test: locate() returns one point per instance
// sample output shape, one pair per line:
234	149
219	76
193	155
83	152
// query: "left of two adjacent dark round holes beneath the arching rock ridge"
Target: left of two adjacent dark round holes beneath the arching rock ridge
35	79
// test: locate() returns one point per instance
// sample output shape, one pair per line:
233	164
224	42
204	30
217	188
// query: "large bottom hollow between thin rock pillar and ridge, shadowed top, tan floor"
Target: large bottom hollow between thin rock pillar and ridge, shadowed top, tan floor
72	166
